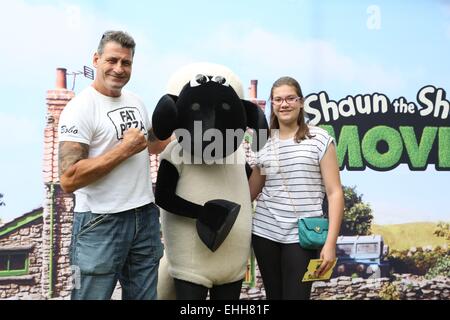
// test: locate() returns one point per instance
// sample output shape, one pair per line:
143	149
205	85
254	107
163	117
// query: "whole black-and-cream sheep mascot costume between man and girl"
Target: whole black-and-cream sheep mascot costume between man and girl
202	184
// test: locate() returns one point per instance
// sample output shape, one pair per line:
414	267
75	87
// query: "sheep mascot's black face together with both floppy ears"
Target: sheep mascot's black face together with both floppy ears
208	118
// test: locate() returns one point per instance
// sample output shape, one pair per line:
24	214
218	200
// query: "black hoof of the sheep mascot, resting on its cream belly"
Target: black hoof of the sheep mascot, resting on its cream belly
216	221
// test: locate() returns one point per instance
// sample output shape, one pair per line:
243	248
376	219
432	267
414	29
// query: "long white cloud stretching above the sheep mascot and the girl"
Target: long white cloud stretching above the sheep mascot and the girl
278	54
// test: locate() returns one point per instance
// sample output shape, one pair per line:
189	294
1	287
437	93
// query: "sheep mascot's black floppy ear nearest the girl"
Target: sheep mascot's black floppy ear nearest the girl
257	121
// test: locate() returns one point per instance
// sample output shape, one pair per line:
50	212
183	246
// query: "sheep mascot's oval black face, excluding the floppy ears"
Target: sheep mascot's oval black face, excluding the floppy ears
213	115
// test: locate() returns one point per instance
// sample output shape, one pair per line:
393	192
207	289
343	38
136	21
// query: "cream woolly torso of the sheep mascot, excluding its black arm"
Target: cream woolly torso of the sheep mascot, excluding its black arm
189	258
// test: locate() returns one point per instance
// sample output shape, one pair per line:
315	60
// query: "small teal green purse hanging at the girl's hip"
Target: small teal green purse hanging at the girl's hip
312	232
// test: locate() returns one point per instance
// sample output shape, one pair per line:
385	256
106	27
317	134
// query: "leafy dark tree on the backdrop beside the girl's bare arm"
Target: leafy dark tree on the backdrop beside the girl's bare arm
357	214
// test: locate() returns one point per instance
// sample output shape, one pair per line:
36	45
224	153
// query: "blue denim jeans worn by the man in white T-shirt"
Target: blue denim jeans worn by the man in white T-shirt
124	246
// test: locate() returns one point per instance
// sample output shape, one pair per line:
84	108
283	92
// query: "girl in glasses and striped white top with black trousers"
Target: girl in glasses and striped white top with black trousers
294	171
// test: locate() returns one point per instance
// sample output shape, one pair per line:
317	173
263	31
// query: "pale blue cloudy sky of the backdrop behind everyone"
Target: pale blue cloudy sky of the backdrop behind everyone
333	46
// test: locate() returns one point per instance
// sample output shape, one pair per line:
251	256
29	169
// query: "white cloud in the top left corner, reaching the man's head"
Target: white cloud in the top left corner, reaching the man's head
36	39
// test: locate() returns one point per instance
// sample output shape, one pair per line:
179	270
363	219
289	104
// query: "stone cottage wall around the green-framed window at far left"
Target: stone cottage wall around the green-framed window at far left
28	236
